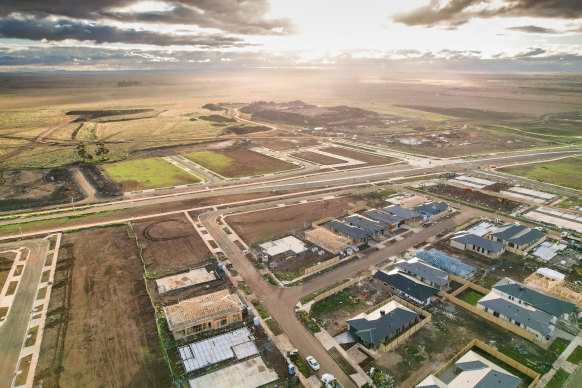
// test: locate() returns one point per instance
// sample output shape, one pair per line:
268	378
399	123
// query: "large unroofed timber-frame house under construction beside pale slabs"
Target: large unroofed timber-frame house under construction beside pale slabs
202	313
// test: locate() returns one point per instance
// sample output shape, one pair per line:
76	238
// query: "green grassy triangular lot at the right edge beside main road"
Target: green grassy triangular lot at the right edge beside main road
563	172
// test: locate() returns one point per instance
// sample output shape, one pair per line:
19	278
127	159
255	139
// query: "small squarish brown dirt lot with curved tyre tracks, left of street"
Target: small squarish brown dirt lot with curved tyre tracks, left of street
170	243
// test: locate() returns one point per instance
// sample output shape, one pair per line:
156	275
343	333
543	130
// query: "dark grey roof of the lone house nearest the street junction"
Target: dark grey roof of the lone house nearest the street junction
374	331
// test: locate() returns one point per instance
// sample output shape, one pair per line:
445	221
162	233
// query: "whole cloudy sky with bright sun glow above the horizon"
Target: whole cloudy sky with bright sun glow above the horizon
166	35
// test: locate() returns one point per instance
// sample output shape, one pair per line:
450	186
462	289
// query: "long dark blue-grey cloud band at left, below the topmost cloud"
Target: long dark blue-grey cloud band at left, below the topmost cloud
43	29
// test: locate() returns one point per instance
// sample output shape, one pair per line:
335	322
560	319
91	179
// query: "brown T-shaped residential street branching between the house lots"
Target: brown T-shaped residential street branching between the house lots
281	301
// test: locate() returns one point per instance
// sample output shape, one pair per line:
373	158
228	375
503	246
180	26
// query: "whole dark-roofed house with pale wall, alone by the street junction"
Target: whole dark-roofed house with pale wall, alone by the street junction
383	324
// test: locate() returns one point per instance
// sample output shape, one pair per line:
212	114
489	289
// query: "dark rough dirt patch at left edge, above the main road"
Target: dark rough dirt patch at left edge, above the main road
20	189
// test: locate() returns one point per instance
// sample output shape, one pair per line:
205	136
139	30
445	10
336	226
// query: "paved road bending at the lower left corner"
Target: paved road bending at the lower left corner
13	330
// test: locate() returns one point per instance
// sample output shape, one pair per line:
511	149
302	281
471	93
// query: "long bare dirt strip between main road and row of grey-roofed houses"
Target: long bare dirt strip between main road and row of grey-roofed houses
269	224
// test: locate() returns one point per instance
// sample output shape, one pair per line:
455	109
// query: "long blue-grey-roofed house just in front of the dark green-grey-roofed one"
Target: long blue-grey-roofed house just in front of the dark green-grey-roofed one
521	315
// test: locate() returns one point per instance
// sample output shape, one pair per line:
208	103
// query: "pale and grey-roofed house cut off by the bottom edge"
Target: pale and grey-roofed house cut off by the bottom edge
472	371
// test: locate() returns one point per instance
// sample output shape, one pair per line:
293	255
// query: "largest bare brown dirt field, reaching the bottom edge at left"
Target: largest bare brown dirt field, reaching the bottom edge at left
101	327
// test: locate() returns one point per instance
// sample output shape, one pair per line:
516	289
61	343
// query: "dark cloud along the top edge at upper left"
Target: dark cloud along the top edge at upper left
232	16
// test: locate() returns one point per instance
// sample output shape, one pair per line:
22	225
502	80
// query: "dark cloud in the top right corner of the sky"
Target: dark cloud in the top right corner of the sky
457	12
